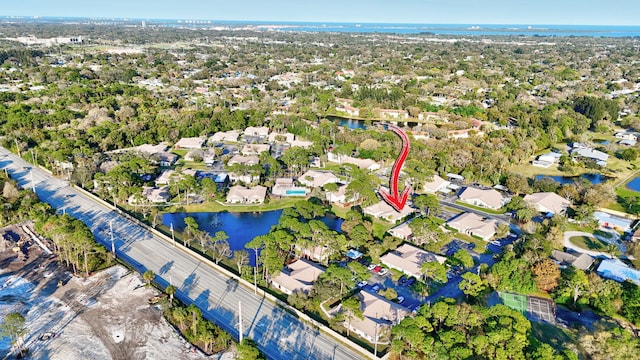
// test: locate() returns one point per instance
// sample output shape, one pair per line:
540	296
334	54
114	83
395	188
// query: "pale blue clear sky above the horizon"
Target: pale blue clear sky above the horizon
522	12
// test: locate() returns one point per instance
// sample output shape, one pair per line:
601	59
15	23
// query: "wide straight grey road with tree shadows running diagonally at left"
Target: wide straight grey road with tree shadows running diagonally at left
279	334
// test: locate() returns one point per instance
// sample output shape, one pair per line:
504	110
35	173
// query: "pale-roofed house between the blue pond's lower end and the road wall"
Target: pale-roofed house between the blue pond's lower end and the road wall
297	276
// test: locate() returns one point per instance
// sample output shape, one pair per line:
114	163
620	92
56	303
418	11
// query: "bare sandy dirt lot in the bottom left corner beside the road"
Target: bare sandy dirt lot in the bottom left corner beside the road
106	316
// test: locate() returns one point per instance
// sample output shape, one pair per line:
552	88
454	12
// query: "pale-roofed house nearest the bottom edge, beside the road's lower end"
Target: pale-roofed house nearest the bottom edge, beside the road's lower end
379	315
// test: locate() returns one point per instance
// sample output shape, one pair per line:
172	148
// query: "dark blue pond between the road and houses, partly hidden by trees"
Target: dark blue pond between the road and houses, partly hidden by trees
241	227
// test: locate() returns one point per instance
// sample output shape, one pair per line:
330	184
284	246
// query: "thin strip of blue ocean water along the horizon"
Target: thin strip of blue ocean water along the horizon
436	29
